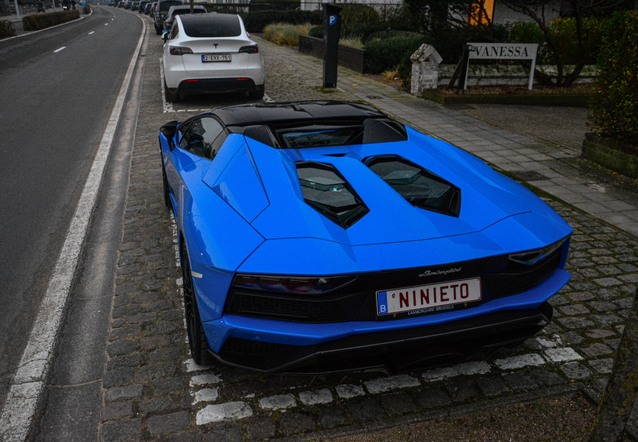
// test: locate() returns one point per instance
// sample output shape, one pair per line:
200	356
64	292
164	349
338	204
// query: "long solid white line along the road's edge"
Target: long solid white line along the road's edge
29	380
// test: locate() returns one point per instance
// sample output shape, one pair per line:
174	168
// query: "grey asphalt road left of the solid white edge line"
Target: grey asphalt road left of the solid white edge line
58	89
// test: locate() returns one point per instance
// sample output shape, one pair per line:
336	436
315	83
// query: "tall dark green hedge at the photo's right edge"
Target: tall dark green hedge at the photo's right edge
615	104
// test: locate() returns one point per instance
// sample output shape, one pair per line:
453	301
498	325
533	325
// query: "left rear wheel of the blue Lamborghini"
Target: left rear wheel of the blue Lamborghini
196	337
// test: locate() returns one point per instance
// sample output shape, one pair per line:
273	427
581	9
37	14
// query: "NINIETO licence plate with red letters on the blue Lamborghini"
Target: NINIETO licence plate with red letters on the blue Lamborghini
428	298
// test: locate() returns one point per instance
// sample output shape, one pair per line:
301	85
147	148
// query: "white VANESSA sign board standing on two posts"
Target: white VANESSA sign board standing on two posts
502	51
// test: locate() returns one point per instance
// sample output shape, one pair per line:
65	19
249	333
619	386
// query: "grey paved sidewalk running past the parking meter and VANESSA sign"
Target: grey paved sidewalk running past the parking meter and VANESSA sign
539	145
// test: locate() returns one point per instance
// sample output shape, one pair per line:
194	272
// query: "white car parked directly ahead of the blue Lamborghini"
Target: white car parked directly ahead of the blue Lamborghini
210	53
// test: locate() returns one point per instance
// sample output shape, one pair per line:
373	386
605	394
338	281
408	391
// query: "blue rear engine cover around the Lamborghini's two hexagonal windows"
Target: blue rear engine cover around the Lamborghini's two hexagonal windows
261	183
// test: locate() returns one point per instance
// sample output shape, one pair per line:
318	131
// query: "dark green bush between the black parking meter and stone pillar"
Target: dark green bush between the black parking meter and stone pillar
382	55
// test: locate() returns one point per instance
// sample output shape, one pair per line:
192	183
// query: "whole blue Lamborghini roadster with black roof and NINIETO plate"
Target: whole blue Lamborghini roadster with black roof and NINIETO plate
325	236
